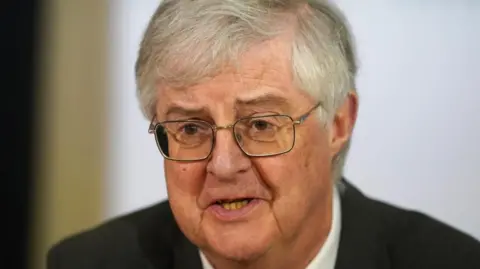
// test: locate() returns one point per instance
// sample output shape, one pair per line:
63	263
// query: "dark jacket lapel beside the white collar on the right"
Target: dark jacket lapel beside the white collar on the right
362	240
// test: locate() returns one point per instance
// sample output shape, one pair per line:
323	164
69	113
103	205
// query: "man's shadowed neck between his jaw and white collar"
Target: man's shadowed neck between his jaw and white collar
295	253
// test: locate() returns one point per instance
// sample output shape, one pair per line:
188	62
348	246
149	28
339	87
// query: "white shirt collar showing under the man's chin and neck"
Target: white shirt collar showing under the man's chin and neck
326	257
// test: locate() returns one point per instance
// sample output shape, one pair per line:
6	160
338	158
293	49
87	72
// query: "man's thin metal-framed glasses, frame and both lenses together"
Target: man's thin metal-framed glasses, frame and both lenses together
257	136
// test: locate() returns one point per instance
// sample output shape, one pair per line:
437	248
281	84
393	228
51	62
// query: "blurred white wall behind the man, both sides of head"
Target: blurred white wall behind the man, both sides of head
416	141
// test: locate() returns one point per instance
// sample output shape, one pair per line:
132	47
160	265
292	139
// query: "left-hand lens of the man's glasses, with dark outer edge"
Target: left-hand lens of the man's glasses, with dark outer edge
184	140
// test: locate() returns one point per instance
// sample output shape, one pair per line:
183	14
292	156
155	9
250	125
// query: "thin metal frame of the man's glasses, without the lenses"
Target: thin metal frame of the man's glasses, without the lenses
152	128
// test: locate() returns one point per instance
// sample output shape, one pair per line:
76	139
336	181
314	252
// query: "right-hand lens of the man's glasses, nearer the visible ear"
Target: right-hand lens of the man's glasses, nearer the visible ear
265	135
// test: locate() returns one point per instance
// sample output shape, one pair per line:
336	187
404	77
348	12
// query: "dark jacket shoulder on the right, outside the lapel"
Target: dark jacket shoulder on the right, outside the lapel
418	240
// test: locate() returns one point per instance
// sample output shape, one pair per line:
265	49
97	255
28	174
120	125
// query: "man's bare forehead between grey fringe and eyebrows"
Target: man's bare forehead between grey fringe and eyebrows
263	70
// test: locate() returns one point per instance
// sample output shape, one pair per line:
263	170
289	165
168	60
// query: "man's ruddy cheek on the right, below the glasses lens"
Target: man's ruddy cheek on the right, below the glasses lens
299	180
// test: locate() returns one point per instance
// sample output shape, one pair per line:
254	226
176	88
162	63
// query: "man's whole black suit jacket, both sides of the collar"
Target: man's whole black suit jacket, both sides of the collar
374	235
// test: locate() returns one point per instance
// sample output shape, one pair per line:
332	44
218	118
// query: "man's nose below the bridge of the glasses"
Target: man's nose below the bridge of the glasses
227	159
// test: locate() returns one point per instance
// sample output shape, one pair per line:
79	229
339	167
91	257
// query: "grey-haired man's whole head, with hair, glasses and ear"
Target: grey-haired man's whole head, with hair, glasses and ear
225	72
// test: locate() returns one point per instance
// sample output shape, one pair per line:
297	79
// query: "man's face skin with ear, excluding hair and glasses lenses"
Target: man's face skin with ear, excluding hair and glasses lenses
285	193
